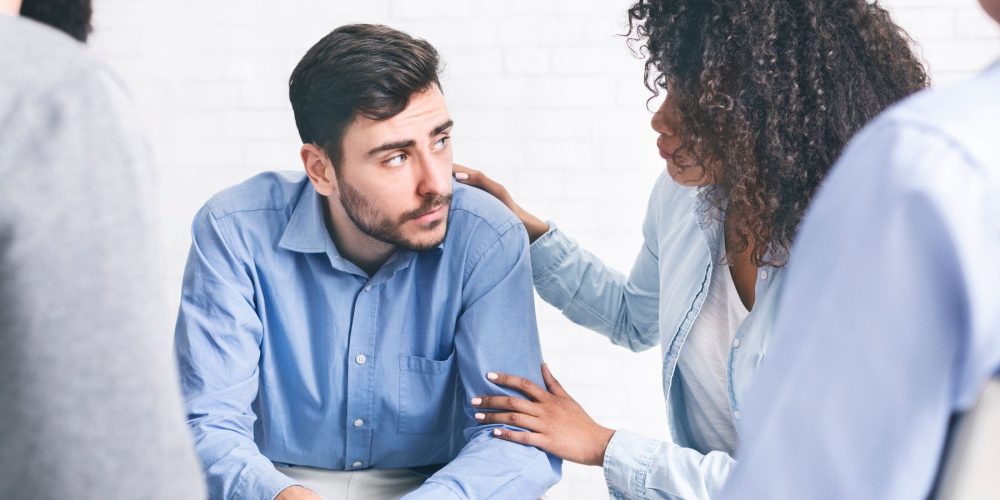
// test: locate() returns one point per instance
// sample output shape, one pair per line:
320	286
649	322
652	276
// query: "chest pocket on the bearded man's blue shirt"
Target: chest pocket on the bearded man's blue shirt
426	394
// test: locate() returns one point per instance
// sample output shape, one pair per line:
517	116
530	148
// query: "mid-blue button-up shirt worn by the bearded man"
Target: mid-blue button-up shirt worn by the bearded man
291	354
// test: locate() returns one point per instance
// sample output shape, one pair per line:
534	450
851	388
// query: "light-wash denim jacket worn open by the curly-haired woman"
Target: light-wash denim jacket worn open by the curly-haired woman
657	304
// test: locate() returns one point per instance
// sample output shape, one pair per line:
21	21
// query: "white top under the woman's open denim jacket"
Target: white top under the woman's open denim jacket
704	363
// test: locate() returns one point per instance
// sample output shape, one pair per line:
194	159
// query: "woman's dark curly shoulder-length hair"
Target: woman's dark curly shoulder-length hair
769	92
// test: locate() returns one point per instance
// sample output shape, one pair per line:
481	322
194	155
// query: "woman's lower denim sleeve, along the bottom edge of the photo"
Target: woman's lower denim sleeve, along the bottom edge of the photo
640	467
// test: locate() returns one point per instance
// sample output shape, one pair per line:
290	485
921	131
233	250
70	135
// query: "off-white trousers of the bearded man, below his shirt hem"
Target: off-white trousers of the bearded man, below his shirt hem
355	485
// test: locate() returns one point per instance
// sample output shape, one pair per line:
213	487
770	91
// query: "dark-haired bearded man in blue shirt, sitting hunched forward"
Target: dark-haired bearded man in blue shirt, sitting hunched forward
336	324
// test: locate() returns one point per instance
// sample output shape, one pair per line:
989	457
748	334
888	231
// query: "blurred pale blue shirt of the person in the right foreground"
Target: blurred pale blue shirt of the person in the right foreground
891	318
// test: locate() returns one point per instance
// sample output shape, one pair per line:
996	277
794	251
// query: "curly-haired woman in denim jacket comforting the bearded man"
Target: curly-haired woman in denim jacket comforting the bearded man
761	96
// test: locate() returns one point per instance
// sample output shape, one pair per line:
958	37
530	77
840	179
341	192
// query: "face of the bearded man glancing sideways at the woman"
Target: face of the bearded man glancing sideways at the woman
394	177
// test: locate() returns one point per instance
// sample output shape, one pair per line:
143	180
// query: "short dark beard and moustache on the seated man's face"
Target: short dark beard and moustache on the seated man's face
363	213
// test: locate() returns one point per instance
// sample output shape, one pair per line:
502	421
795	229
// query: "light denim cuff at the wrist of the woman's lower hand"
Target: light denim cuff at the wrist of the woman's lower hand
626	463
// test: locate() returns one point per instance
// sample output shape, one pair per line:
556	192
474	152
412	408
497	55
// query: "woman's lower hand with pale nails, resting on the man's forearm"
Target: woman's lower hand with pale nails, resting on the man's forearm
558	424
